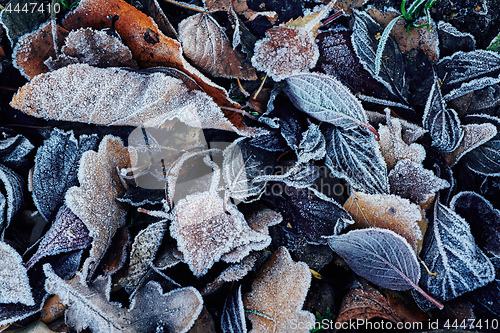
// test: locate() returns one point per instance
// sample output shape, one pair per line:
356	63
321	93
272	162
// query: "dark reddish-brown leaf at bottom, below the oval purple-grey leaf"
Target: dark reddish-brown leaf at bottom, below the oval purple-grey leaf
366	303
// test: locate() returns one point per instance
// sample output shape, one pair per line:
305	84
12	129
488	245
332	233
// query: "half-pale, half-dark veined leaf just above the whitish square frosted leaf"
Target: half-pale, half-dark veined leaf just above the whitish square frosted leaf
241	165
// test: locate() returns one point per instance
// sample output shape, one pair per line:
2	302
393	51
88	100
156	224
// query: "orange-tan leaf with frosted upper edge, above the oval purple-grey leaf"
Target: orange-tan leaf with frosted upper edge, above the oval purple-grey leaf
389	212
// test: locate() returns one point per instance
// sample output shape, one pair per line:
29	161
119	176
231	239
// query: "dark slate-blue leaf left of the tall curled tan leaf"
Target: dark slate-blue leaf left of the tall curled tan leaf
56	166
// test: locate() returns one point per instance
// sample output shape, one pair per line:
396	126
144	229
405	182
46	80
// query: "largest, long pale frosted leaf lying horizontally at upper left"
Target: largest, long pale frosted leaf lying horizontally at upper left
114	96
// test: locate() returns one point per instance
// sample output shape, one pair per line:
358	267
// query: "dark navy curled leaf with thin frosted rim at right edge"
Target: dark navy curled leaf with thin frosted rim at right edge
483	219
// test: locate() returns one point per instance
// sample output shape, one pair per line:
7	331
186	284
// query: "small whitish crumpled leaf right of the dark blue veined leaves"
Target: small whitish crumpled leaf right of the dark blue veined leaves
394	148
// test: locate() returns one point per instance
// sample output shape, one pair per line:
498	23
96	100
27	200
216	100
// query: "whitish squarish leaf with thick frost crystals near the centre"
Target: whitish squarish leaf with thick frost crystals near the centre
205	231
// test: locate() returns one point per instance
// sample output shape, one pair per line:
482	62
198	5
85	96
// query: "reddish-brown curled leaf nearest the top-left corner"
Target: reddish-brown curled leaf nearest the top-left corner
33	49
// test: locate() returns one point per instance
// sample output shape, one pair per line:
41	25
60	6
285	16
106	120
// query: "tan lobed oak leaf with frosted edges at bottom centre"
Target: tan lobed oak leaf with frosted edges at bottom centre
279	292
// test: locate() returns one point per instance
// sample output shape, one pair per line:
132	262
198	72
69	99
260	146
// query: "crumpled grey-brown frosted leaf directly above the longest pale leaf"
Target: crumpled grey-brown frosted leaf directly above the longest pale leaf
92	47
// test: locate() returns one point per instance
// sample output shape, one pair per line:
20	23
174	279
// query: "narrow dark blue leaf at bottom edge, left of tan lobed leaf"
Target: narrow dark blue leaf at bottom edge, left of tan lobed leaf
233	313
